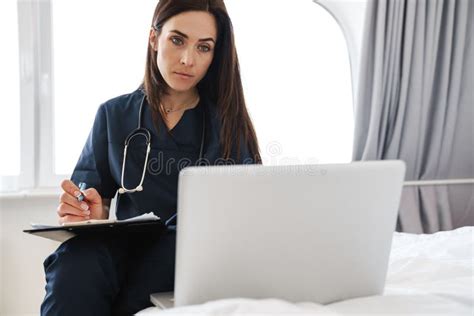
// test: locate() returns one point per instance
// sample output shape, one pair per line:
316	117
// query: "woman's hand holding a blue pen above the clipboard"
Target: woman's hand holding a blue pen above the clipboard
71	210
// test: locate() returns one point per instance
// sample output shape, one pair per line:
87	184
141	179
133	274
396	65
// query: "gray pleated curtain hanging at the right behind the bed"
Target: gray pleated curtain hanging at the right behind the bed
415	103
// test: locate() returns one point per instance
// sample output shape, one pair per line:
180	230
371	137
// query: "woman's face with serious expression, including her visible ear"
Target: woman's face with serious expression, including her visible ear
185	48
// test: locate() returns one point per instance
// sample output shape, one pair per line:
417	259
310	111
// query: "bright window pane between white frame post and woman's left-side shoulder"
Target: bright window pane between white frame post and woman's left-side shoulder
98	54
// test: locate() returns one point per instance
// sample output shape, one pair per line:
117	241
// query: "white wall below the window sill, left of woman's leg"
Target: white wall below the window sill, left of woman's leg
22	255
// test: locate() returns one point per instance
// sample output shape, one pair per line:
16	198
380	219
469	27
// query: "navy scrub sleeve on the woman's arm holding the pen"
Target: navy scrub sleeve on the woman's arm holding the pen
93	165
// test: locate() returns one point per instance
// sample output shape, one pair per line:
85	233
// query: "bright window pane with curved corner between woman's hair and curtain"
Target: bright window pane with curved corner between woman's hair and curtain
297	80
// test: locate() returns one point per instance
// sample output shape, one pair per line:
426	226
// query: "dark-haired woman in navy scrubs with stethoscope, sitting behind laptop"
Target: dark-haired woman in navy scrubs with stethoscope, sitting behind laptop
192	104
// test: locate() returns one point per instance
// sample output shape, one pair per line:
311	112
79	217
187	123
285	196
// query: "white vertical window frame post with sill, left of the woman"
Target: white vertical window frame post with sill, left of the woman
36	92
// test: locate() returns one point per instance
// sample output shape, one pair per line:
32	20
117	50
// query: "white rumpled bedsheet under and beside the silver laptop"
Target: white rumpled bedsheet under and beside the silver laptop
428	275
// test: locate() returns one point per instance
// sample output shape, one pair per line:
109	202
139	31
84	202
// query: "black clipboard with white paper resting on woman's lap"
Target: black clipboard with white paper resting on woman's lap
63	233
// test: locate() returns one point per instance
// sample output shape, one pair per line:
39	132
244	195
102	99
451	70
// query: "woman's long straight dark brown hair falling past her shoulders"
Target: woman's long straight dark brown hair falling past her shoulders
222	83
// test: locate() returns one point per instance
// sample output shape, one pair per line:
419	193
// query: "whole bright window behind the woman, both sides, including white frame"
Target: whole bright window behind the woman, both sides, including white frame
62	58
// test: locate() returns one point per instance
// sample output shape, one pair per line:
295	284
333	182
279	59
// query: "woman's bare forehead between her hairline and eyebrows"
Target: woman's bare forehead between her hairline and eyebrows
195	24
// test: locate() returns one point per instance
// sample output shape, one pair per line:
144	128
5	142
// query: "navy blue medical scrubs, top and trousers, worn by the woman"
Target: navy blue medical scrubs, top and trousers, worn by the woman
115	274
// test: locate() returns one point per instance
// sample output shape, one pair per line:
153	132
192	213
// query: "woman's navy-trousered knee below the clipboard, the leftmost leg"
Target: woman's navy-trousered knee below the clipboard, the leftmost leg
83	276
